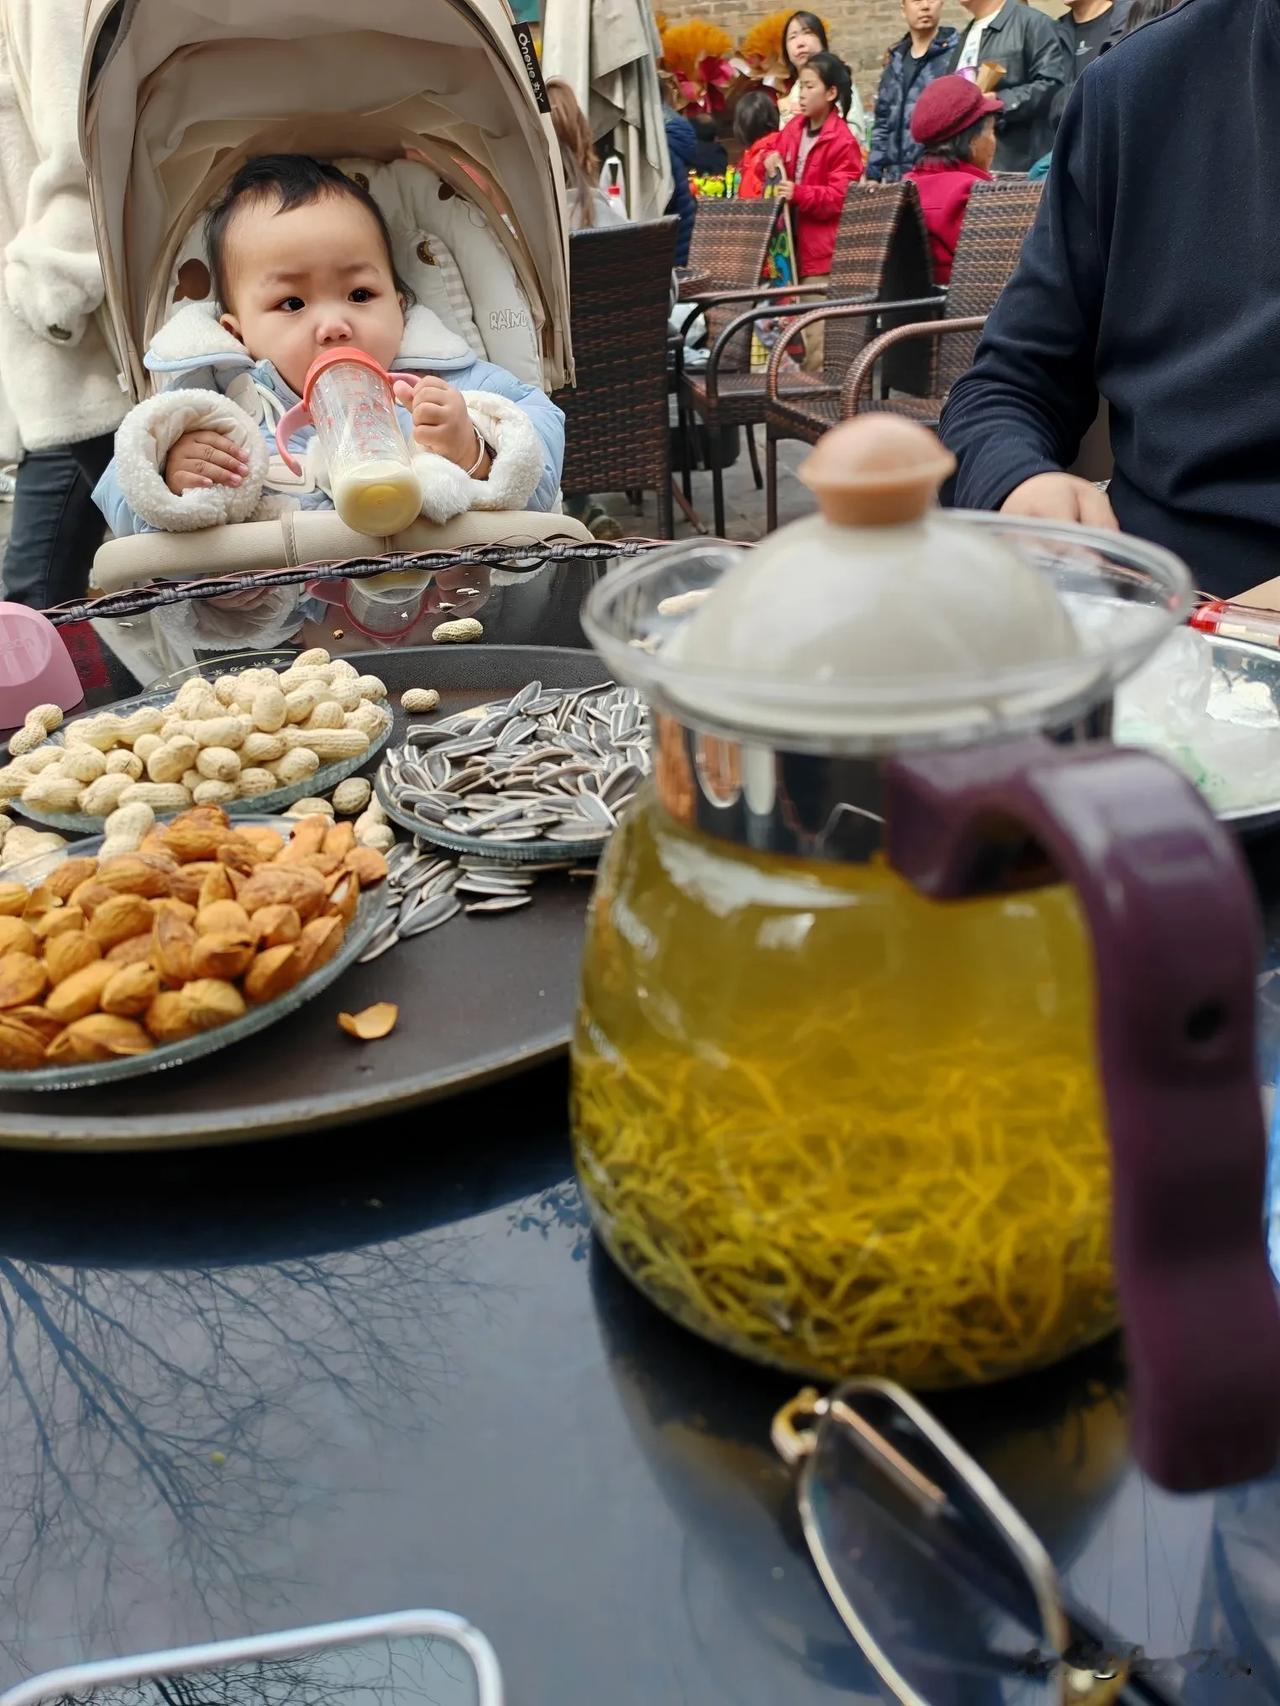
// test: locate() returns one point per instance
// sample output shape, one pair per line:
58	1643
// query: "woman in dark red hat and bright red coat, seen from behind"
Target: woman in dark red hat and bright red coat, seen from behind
955	124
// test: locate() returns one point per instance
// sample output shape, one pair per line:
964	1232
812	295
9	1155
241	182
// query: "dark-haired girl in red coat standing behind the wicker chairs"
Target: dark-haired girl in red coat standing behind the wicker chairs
820	160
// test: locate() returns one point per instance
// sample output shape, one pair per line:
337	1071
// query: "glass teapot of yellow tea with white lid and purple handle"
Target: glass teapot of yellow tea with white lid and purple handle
917	1019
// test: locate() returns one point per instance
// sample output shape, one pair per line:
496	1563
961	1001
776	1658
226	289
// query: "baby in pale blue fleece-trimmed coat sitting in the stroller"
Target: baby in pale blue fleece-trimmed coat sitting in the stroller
301	264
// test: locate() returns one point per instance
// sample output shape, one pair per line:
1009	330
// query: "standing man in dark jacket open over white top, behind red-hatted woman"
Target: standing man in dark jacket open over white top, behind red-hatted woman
1035	66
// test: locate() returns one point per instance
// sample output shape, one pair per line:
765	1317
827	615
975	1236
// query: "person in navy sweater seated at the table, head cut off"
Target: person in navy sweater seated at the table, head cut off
1149	286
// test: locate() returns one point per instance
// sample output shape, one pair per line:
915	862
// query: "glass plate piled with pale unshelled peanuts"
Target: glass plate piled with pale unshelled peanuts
250	741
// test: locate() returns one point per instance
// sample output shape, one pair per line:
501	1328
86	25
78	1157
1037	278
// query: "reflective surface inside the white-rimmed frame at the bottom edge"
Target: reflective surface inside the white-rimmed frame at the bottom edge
416	1671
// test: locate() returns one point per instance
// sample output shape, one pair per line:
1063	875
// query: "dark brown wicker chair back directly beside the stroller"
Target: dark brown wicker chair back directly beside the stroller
617	427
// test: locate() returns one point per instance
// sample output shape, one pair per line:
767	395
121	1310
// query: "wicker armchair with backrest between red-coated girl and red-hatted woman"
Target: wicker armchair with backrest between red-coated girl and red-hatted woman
881	245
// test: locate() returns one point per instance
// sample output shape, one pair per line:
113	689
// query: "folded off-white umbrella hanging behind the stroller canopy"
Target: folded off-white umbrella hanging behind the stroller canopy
608	52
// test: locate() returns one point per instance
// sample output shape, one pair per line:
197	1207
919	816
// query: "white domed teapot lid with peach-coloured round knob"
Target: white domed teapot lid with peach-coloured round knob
880	586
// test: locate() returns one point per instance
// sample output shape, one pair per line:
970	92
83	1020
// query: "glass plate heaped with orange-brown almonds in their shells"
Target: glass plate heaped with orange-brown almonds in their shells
119	965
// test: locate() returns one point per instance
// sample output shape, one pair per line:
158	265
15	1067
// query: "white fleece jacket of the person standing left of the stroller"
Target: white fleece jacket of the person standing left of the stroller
57	373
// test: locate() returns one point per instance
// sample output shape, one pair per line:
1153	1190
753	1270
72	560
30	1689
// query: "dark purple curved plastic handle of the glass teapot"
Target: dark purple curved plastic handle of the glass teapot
1175	937
